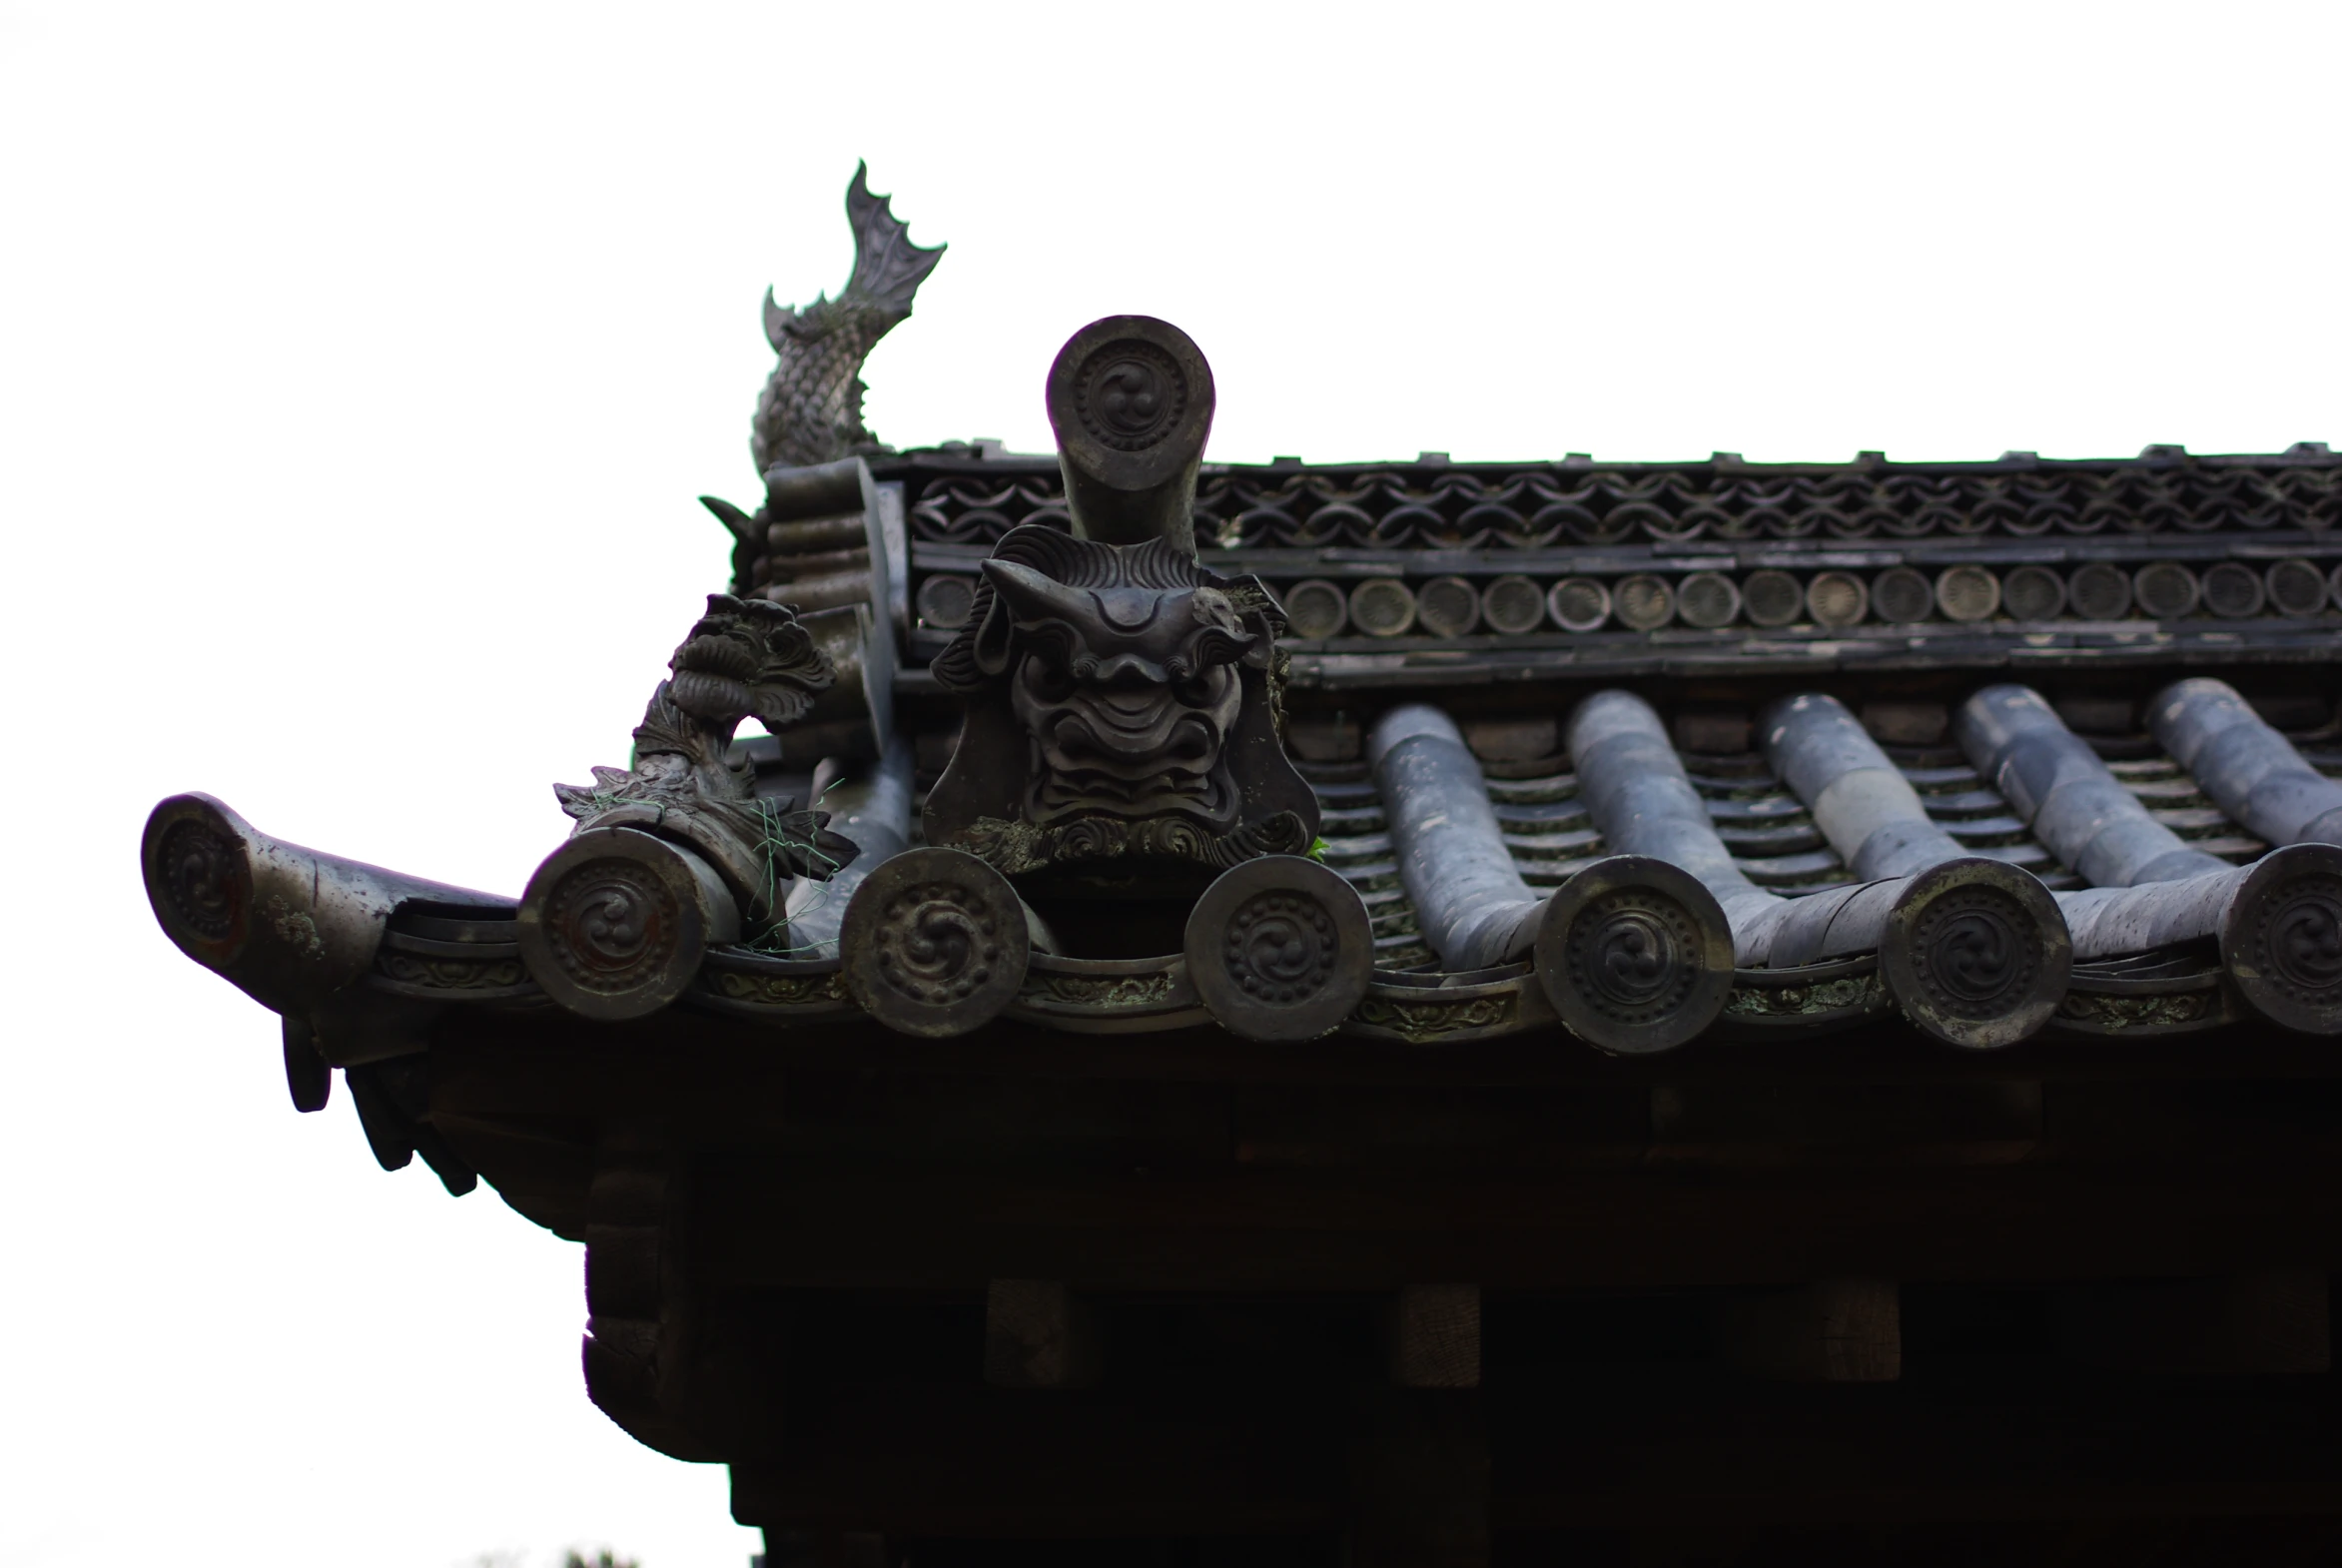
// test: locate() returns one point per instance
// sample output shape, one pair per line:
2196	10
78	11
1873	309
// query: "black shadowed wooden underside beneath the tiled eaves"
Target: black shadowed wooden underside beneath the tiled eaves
802	1227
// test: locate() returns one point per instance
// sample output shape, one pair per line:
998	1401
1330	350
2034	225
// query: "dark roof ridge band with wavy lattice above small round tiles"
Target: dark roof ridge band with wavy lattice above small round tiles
1505	565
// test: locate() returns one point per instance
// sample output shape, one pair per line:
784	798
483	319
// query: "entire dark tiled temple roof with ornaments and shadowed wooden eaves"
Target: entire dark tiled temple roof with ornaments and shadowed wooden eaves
1423	1012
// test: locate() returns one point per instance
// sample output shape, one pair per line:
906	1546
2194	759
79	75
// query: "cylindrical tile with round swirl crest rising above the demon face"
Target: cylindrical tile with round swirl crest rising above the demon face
1130	401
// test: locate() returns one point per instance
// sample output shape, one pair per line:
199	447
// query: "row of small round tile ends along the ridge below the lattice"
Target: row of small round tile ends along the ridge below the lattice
1711	600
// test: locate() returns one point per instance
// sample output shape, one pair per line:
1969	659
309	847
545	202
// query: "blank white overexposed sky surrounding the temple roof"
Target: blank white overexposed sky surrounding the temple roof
359	366
